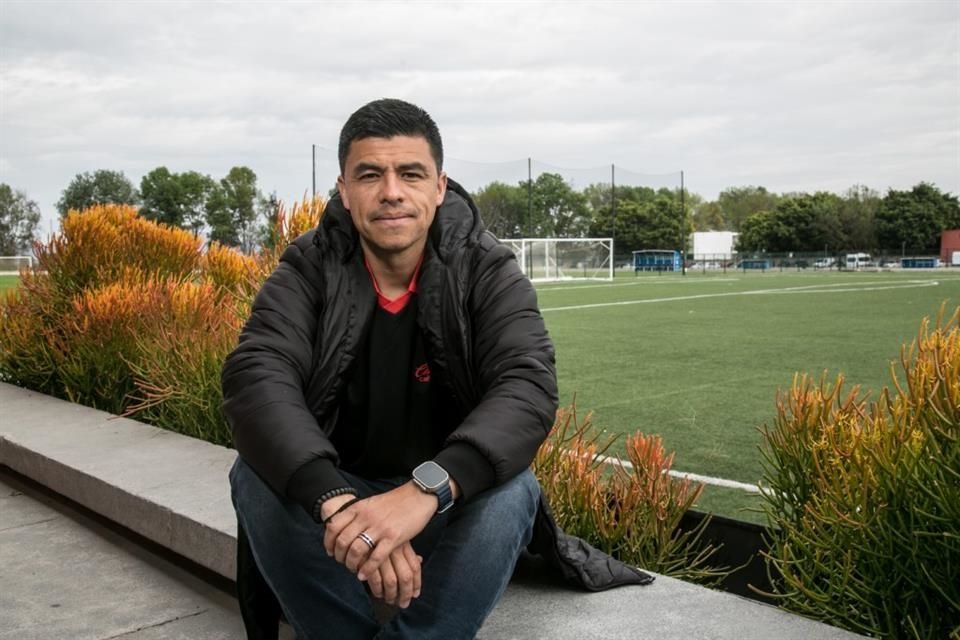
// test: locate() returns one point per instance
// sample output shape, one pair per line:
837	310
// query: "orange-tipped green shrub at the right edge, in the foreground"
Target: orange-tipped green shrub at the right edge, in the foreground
864	497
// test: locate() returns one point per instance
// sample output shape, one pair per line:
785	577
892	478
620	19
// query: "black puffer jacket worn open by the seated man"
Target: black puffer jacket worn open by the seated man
484	336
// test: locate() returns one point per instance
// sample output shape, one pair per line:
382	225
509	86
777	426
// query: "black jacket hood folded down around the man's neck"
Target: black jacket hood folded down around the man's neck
457	222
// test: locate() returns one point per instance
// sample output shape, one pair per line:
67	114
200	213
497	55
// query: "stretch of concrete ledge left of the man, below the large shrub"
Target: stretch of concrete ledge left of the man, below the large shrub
169	488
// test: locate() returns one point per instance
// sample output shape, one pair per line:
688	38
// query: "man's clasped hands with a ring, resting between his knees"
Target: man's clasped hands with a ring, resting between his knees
391	520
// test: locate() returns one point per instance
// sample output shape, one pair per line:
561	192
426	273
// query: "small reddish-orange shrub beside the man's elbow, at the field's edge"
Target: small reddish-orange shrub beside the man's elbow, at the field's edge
631	512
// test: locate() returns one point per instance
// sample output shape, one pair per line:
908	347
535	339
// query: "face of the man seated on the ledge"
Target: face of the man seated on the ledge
392	188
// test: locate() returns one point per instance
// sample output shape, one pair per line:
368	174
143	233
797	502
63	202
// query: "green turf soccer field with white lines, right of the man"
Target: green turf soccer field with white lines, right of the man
699	358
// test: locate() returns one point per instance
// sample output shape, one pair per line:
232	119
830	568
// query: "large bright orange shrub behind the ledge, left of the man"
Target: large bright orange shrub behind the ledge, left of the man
134	317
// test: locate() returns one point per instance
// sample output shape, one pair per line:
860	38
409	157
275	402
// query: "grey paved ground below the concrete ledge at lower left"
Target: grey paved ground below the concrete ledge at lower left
65	575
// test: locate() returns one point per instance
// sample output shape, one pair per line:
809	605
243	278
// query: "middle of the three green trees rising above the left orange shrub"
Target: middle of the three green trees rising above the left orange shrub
177	199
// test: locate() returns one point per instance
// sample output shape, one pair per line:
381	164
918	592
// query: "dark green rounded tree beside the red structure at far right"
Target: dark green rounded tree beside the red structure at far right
914	220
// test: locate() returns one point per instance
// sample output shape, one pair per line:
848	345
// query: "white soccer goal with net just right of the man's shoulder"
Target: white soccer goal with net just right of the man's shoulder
554	259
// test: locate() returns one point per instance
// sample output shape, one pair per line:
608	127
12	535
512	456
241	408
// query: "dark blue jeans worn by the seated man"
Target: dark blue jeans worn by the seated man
469	555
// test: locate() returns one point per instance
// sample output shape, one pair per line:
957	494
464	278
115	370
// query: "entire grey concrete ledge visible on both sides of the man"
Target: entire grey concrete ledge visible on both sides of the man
173	490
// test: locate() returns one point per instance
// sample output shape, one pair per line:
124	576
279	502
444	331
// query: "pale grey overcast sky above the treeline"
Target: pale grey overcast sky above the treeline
798	96
